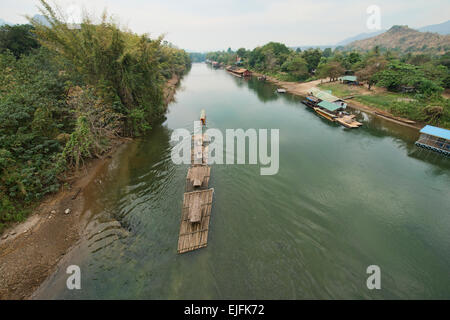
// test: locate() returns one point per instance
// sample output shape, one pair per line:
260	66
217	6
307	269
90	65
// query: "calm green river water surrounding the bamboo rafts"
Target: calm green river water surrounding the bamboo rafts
341	201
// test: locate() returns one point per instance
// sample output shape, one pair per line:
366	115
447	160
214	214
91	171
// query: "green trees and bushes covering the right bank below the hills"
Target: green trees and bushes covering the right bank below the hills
428	75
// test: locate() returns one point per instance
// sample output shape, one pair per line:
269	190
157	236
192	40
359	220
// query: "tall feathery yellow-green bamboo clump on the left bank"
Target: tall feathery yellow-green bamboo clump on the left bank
129	69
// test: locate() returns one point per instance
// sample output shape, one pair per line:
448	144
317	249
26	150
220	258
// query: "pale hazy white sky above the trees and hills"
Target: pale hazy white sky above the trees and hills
201	25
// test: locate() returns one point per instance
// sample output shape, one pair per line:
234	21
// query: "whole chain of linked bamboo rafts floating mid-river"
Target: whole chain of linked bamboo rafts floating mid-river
197	200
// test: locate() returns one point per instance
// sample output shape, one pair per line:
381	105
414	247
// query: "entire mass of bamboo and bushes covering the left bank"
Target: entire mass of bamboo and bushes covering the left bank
66	92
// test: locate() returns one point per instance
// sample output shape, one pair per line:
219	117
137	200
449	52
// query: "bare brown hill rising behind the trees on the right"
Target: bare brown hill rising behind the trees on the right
406	40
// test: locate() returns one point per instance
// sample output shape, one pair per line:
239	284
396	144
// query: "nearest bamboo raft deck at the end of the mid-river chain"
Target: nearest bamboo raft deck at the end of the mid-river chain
196	206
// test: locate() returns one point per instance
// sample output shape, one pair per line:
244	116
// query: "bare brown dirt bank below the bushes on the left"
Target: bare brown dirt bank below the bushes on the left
30	251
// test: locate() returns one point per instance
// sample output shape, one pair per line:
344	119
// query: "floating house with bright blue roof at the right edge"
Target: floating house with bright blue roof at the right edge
435	139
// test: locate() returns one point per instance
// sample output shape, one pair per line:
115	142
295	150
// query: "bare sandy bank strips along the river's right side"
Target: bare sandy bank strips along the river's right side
302	89
